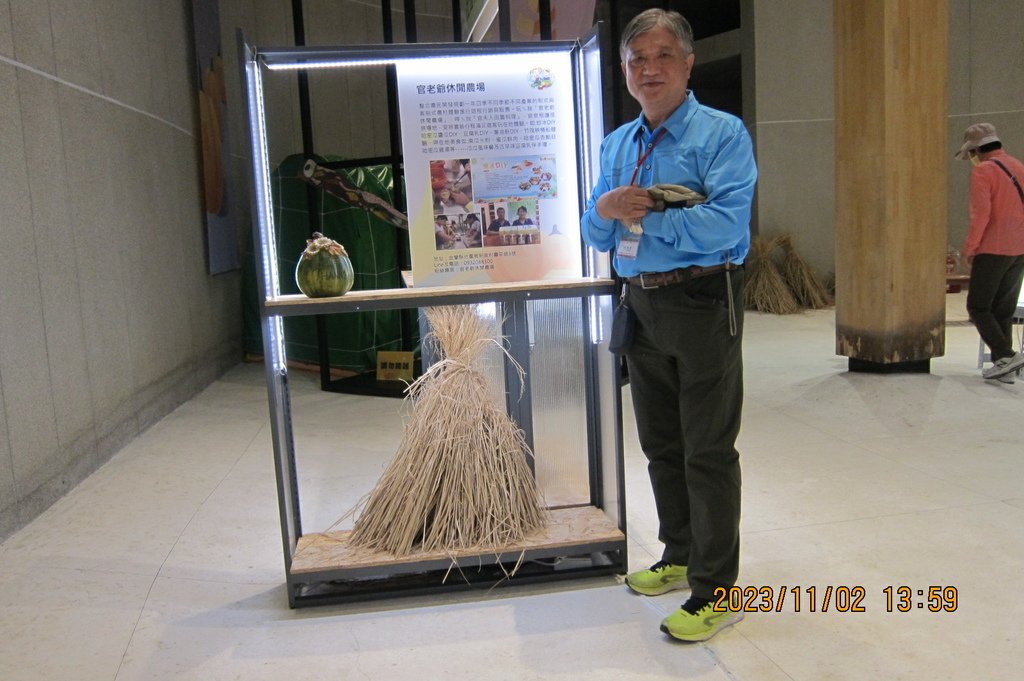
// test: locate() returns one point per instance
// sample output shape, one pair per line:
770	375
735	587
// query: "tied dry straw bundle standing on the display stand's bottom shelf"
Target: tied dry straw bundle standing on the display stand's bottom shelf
461	479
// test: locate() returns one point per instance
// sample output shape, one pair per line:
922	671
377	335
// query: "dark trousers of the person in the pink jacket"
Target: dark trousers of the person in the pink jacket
992	300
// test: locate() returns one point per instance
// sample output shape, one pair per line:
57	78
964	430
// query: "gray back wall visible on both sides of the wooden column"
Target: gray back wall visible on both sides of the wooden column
788	52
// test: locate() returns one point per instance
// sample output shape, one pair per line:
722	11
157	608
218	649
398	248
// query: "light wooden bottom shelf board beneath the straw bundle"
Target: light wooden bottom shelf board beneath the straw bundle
569	528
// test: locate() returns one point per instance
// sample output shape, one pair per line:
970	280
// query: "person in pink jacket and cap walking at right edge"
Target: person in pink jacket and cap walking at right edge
995	245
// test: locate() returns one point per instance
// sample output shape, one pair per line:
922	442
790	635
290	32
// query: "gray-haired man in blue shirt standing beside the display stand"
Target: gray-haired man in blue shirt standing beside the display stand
684	275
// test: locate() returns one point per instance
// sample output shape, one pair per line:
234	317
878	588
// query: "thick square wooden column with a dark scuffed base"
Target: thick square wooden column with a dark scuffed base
891	161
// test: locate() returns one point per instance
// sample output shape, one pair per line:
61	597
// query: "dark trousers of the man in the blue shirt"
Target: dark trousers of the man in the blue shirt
687	378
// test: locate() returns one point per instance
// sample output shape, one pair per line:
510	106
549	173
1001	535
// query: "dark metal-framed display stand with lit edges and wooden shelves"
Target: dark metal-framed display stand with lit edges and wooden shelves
583	538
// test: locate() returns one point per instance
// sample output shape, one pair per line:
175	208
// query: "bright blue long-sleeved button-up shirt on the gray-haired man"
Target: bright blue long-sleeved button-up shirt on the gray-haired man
706	150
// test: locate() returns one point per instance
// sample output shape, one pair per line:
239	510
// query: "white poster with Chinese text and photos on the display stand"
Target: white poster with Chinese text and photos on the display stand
491	168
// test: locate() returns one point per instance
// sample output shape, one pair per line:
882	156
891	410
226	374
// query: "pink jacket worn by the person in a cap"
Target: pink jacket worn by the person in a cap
997	211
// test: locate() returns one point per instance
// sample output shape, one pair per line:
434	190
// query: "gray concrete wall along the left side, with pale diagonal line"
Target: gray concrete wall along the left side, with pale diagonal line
108	317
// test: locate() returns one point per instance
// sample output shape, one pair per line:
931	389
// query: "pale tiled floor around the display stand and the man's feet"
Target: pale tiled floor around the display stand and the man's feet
166	564
